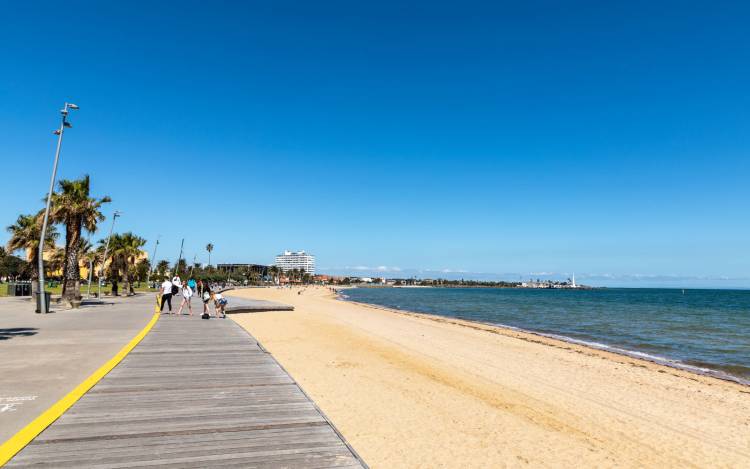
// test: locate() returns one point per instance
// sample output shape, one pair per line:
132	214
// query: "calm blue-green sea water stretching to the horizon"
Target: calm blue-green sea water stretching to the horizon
703	330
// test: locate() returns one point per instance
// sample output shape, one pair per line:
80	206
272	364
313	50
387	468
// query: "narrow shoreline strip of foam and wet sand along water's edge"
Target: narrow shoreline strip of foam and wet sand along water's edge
594	346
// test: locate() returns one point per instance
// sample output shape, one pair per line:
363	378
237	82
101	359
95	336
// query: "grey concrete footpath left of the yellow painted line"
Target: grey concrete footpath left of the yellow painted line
43	357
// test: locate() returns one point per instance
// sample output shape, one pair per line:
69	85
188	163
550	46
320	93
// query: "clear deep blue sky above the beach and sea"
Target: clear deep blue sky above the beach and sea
610	139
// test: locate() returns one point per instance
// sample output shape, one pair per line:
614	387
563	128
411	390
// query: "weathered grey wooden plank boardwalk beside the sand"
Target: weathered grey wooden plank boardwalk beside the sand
193	393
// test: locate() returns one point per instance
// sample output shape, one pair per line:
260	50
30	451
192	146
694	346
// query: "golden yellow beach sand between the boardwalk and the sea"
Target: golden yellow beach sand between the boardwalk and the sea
412	390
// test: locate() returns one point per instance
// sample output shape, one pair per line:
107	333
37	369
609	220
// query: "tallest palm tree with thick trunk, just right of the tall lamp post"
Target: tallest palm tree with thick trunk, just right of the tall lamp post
74	208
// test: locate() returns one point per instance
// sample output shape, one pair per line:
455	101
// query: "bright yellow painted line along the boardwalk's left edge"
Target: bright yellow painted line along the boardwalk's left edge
18	441
